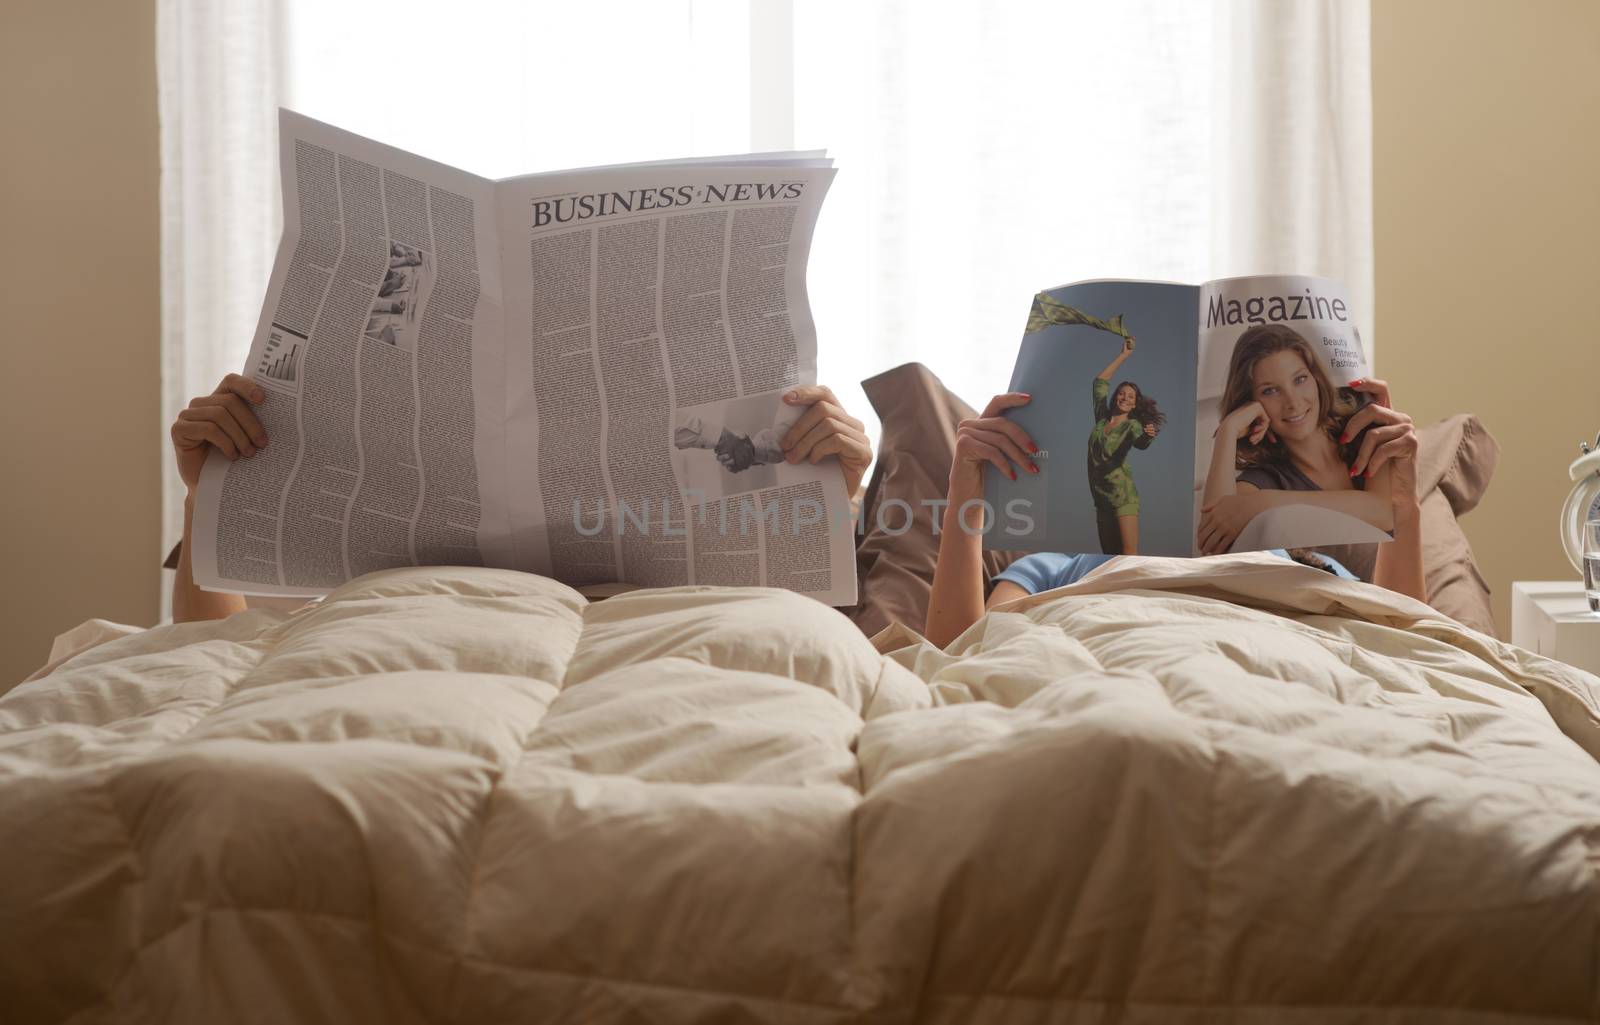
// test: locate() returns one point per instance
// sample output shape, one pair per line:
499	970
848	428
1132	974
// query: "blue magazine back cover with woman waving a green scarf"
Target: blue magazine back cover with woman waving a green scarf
1111	369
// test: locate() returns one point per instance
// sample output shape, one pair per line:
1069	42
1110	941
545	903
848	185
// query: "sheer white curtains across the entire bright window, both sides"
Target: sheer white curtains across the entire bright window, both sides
986	150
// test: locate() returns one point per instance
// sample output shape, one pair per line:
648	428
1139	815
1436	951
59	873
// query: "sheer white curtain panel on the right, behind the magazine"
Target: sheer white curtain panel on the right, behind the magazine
994	150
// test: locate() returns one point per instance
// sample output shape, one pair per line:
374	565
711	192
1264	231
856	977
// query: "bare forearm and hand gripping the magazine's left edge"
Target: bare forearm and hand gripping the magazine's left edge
958	597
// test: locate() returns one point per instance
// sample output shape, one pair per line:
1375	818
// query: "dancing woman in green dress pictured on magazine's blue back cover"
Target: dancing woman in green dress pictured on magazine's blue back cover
1124	420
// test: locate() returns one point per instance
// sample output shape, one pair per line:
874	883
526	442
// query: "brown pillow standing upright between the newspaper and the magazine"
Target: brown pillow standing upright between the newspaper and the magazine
895	565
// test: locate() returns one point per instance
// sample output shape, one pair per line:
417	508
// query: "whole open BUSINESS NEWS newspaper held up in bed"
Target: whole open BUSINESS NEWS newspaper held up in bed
574	373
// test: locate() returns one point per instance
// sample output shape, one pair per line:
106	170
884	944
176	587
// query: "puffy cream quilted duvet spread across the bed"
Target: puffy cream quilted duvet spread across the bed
1225	791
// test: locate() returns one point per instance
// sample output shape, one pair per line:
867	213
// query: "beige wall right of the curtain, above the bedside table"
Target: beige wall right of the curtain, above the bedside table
1487	231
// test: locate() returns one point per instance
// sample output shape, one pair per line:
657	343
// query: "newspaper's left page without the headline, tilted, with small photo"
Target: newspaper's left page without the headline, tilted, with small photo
380	353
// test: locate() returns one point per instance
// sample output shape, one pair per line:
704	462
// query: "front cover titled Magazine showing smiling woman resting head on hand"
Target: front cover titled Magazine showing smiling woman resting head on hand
1270	469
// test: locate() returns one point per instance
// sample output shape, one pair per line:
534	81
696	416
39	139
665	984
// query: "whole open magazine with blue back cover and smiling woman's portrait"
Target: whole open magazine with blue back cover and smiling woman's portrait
1167	410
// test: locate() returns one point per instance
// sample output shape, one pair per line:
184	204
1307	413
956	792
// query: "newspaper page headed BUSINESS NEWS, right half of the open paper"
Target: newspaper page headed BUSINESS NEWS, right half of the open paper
657	316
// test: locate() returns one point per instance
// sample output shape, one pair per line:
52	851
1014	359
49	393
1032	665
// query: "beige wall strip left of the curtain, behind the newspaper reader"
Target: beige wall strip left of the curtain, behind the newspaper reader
81	277
